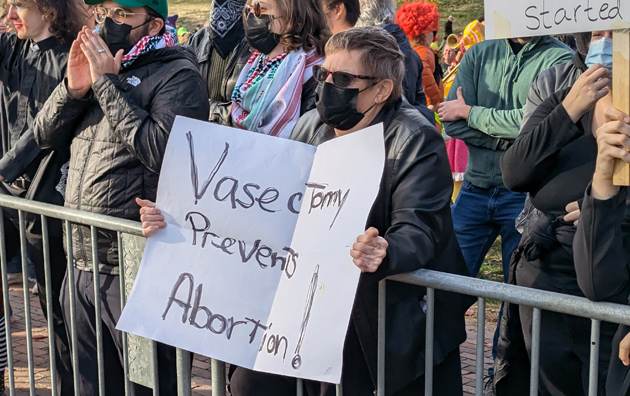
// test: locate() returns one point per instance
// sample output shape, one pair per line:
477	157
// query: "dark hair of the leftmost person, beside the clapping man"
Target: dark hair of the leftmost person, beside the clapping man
66	17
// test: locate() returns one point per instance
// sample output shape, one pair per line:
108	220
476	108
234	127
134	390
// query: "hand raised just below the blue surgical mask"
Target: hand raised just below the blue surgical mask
590	87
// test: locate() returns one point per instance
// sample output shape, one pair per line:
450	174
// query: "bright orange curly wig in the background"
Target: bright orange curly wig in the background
418	18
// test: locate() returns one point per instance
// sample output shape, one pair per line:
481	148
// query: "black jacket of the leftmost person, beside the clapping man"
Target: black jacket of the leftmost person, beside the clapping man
29	72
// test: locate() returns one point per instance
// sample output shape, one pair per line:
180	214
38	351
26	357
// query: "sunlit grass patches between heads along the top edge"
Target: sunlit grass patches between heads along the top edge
193	12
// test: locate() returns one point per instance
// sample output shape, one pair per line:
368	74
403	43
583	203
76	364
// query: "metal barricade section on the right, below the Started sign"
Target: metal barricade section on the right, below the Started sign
482	289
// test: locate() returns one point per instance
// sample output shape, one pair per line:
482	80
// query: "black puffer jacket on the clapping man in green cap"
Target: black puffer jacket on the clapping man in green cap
117	137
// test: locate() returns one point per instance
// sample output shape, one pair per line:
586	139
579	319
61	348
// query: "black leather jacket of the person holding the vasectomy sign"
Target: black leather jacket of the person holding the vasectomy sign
412	212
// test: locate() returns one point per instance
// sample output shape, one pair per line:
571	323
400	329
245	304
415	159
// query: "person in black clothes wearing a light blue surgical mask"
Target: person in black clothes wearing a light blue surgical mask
553	159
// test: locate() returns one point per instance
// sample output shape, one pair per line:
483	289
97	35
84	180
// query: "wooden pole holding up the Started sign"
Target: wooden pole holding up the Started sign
621	91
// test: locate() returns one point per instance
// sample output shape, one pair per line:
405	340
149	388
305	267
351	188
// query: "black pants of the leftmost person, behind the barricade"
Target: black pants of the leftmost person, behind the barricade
63	362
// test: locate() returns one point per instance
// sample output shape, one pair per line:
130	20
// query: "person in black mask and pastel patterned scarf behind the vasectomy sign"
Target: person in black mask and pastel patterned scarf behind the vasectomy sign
276	84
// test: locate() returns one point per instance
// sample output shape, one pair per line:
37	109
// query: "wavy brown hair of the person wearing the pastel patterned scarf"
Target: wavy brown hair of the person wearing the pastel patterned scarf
304	25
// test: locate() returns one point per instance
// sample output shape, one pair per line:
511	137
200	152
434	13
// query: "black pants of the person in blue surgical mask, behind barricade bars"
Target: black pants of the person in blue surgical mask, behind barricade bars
565	342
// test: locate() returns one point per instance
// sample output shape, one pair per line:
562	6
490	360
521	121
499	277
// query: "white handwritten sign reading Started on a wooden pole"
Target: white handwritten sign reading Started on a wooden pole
527	18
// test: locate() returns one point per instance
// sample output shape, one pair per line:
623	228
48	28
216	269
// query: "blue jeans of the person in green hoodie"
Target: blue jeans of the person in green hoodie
479	216
